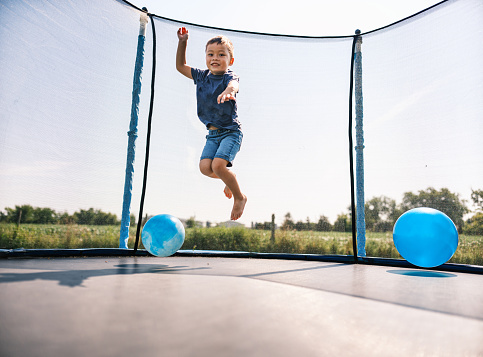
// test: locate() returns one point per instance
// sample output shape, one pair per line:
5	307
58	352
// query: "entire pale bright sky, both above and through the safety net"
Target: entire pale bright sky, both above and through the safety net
67	94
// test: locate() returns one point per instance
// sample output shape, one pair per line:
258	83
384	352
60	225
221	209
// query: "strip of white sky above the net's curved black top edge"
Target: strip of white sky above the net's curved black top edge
303	17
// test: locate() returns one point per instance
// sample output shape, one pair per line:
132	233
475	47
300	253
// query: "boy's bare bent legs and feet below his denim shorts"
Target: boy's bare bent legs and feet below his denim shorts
219	170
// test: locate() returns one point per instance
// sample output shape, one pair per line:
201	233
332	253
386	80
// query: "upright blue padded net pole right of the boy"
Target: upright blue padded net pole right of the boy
361	220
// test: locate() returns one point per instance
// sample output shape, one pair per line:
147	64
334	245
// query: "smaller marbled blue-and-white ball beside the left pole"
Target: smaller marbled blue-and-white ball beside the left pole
163	235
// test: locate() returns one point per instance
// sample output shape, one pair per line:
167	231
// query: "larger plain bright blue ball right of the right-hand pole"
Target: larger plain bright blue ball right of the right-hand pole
425	237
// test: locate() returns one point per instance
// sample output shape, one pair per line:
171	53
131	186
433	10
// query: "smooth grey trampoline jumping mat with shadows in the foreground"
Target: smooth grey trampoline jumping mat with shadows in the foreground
200	306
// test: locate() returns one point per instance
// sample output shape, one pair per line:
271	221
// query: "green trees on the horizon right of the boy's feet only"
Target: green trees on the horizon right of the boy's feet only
382	212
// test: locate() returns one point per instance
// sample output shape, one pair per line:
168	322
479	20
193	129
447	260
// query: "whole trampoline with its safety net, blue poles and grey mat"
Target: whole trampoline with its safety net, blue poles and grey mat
70	80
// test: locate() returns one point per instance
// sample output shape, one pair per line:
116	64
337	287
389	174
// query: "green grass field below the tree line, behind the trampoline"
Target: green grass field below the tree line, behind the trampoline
34	236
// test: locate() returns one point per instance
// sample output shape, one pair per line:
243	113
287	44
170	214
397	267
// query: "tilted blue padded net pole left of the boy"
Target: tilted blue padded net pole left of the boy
132	133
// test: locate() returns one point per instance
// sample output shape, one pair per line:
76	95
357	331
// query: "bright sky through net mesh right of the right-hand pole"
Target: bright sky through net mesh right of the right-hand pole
422	100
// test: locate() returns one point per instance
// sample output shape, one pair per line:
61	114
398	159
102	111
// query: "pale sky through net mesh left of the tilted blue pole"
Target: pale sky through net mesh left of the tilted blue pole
65	93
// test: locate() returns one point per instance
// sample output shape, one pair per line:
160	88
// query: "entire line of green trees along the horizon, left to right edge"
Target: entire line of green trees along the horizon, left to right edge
380	214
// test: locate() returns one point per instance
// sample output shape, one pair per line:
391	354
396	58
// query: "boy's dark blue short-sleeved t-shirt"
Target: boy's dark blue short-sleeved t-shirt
208	87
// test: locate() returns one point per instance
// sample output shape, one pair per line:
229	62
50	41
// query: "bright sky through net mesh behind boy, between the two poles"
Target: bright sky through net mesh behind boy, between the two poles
292	153
